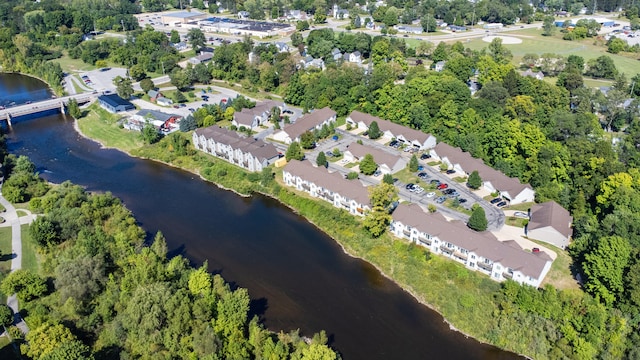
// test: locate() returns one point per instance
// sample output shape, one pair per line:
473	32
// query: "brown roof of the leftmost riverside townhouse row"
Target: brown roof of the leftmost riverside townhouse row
257	148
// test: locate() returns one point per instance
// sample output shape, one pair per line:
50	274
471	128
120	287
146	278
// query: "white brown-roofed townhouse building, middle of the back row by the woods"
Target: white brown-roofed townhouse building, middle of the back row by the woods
392	130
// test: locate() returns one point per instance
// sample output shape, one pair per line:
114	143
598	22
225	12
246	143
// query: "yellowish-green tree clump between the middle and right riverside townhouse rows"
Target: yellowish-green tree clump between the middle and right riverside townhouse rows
381	197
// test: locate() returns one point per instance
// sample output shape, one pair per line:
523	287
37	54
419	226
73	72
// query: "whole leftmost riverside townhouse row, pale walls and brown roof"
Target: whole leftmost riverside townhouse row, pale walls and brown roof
247	153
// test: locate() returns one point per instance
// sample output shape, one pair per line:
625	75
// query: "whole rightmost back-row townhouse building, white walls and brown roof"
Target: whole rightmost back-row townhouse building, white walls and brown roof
493	180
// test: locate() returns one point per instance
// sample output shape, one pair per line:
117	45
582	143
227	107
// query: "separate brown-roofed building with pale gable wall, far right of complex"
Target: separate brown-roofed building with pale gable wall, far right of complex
551	223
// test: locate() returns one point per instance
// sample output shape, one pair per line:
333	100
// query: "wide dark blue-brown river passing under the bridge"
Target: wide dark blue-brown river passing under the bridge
297	276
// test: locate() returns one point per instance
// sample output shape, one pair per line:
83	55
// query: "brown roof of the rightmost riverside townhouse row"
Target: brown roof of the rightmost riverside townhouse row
507	253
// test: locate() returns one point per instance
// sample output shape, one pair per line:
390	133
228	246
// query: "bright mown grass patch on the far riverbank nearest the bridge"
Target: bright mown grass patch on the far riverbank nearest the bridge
100	124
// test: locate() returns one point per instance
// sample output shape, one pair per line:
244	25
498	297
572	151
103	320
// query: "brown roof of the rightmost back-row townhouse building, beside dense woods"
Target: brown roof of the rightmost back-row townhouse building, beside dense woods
499	180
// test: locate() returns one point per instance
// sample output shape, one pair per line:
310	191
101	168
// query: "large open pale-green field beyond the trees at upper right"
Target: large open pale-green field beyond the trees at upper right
534	42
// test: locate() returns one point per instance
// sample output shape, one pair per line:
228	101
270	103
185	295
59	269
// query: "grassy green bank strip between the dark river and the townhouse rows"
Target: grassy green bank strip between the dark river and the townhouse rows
463	298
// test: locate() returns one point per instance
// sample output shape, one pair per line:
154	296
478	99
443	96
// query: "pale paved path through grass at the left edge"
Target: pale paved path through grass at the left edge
12	219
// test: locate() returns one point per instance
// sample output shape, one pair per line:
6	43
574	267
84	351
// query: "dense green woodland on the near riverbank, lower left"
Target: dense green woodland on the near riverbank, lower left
116	297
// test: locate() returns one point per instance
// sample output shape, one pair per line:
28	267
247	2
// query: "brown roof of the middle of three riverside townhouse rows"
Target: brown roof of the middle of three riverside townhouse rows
335	182
